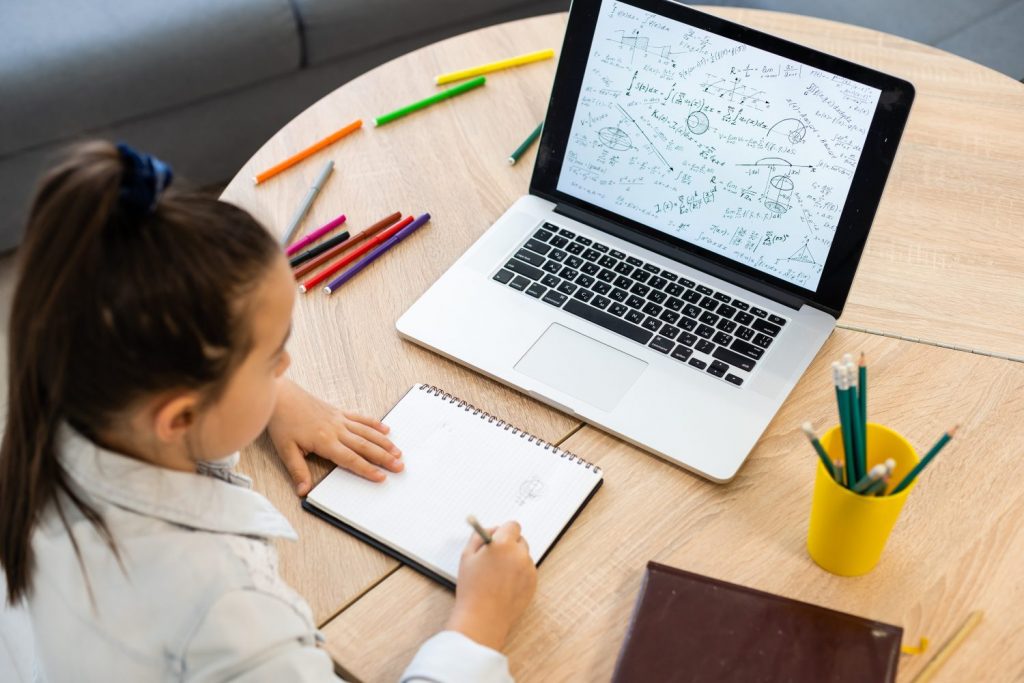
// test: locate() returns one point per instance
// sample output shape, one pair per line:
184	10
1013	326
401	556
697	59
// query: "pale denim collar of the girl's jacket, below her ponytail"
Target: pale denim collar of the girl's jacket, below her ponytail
214	499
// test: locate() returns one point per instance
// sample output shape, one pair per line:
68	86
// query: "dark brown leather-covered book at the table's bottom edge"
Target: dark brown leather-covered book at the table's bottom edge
691	628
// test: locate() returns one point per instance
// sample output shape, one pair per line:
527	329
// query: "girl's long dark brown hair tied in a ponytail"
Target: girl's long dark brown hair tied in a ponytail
113	305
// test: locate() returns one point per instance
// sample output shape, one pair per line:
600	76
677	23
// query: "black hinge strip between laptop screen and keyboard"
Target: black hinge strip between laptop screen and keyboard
669	251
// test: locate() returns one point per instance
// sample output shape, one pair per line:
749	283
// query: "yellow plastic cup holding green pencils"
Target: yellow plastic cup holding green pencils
848	532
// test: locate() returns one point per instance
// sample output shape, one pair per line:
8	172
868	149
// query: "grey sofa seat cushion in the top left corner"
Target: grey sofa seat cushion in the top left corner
74	65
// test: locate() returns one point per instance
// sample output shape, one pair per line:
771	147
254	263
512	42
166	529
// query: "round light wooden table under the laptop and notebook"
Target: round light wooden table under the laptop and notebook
943	266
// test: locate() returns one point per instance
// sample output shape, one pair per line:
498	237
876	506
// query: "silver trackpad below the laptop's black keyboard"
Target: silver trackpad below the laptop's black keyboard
581	367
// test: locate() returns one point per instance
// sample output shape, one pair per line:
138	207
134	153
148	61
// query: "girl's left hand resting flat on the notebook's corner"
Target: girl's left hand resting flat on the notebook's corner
303	424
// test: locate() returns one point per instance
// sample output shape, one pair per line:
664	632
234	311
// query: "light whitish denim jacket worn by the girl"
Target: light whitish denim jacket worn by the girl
196	595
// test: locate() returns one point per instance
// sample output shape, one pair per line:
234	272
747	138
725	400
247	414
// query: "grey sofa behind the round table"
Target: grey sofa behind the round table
205	82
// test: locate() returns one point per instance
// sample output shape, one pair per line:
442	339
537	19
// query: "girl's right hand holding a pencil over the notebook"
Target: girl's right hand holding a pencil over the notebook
496	583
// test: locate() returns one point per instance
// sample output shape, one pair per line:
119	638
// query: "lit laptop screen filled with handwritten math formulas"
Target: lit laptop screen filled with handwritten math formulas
739	151
